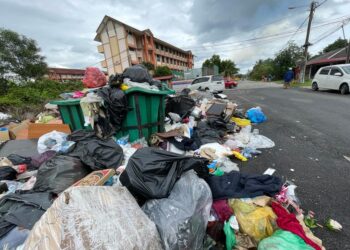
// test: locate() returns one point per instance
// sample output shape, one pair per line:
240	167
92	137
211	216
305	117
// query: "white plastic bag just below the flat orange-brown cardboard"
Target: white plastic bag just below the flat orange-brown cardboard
56	141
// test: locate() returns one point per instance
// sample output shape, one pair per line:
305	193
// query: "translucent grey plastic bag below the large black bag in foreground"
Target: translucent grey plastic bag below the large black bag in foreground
182	219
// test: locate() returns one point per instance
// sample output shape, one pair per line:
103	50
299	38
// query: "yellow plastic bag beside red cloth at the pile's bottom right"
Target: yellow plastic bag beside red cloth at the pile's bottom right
257	222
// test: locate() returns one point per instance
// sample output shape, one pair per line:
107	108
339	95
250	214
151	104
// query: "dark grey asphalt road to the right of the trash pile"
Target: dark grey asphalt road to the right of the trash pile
312	135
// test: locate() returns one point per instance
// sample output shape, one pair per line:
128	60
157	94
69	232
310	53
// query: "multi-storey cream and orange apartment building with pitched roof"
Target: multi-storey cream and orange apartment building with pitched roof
123	46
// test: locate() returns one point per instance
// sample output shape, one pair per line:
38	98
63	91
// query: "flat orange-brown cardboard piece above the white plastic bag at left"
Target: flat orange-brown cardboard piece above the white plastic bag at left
35	130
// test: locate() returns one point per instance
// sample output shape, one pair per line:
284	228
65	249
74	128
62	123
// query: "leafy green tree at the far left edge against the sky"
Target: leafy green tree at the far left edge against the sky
19	55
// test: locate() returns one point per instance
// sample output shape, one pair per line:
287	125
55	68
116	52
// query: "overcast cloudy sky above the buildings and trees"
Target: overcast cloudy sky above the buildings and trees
64	29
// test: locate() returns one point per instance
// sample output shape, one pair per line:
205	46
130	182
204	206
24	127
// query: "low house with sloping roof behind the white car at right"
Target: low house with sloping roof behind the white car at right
337	56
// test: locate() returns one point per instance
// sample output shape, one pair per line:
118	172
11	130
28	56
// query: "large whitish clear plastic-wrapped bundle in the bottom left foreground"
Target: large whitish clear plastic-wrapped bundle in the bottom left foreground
94	218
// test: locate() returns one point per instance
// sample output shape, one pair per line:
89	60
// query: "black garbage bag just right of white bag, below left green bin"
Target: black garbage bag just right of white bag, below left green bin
95	152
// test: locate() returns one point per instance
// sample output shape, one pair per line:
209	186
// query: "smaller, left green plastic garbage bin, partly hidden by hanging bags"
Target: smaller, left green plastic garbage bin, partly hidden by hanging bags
71	113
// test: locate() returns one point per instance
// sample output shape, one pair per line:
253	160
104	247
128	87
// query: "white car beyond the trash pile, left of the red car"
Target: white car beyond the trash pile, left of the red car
213	83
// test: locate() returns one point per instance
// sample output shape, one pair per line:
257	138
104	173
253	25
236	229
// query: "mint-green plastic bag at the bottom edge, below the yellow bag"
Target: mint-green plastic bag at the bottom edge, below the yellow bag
281	240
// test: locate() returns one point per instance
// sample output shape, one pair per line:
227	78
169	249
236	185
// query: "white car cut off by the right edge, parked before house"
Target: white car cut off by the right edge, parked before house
333	77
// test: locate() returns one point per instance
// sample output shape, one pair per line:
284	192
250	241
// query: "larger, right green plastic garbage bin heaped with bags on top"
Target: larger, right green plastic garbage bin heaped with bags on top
146	113
